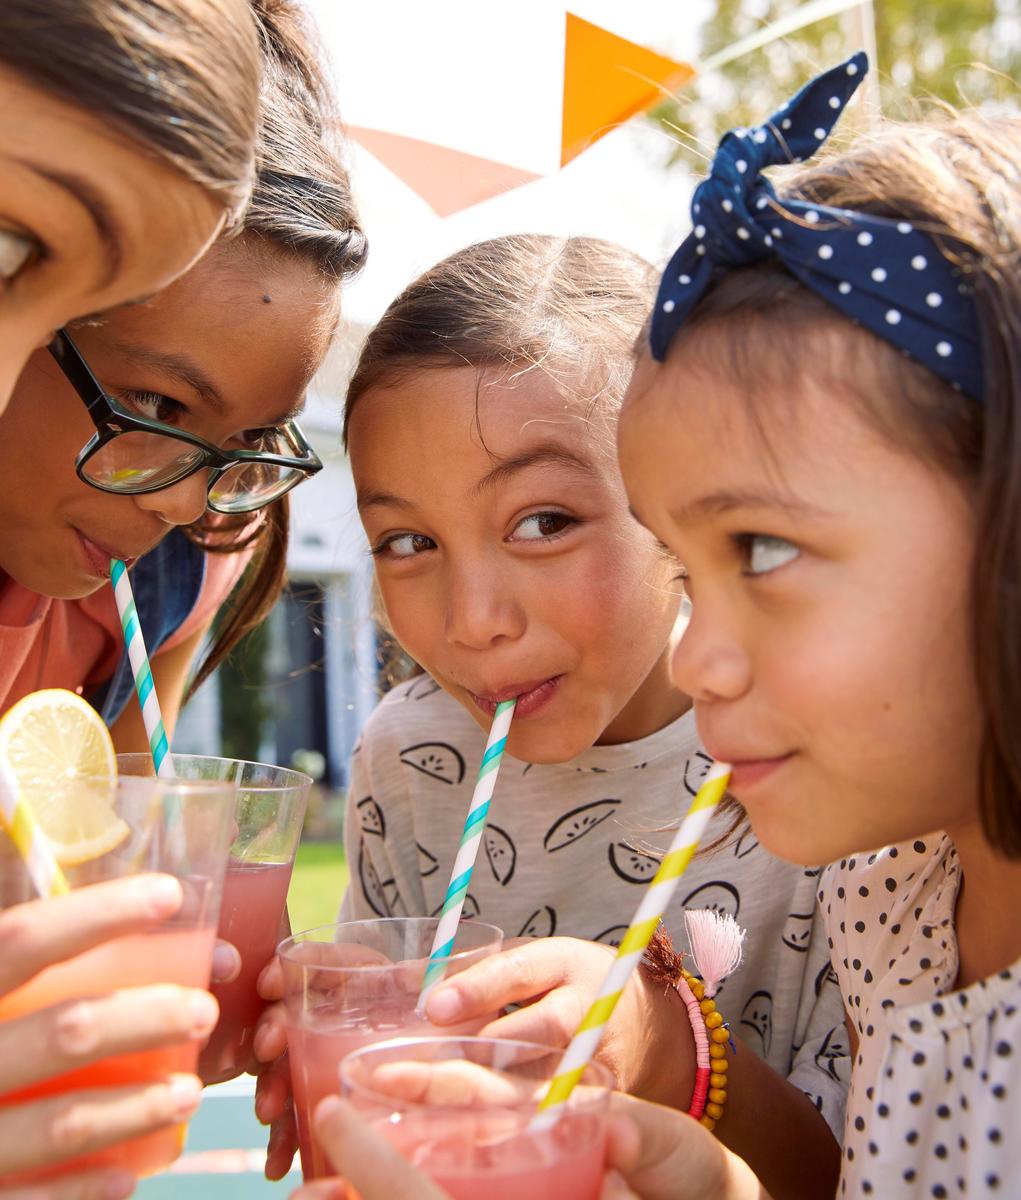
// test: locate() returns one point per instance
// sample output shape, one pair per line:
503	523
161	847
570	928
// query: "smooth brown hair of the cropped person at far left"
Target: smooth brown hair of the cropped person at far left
179	77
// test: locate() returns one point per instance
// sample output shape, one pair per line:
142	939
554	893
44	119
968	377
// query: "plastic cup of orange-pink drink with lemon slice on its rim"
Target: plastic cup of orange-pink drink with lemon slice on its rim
181	829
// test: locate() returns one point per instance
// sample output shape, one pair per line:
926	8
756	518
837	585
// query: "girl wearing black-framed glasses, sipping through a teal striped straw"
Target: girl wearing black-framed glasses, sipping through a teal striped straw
164	434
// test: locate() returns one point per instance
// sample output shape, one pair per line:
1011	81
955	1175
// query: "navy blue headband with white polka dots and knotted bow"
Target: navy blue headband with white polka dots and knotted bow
886	275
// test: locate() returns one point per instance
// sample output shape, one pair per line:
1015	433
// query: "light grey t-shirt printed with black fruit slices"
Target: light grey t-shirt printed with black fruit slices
567	851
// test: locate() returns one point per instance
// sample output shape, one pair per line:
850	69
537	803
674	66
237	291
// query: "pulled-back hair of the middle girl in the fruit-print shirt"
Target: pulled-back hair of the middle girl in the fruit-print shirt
572	307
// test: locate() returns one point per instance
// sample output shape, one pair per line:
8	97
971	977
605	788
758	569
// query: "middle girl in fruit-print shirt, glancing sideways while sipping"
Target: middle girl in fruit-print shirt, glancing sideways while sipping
481	424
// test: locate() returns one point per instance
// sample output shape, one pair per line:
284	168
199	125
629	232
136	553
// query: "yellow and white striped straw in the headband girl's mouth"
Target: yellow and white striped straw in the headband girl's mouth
629	955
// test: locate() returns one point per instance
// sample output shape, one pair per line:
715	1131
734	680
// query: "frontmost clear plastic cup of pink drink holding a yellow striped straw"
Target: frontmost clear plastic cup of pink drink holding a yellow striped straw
460	1109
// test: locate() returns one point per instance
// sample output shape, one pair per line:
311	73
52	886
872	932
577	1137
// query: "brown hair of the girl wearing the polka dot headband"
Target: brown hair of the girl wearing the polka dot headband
960	179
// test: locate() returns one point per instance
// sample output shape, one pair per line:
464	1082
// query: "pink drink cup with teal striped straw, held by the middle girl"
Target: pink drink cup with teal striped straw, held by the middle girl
356	983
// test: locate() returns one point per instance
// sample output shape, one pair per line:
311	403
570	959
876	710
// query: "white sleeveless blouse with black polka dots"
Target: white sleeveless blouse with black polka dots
933	1109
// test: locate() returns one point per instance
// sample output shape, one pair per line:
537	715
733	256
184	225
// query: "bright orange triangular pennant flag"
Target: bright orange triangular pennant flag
606	81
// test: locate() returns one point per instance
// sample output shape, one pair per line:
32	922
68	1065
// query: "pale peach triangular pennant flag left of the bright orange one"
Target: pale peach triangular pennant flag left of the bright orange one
448	181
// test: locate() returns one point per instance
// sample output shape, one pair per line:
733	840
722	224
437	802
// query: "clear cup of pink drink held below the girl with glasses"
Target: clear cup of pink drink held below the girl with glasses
268	815
